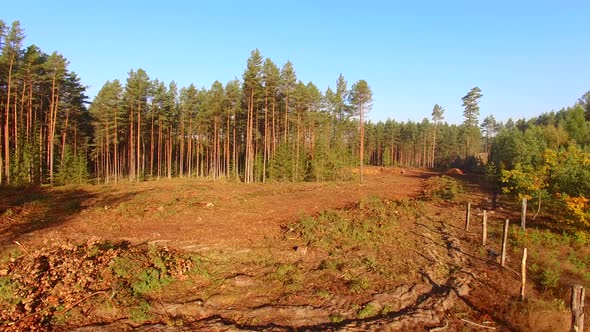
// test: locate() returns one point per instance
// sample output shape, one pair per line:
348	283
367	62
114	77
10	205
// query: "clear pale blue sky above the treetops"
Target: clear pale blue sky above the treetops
527	57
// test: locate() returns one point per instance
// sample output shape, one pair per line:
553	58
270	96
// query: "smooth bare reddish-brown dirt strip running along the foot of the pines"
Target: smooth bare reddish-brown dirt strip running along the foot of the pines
193	213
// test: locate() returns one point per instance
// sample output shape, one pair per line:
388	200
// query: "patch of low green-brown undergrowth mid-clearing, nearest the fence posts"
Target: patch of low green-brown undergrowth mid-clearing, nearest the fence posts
364	244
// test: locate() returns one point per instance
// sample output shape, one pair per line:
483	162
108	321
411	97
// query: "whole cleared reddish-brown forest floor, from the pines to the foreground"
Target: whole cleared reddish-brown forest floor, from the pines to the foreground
183	255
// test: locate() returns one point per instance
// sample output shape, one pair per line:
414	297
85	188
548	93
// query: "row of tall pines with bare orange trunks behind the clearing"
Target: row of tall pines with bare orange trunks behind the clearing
267	126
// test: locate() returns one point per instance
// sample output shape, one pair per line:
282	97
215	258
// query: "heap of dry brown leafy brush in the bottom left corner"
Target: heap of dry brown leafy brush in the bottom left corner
52	285
